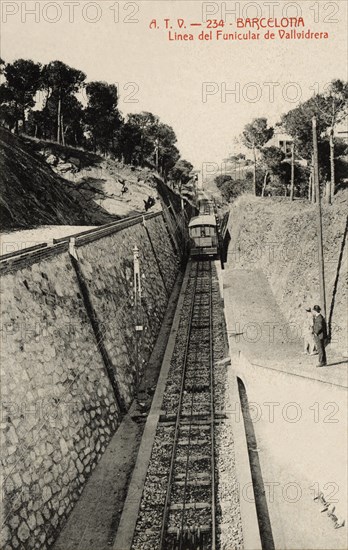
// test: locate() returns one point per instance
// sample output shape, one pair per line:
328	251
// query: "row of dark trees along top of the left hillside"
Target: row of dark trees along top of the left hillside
42	101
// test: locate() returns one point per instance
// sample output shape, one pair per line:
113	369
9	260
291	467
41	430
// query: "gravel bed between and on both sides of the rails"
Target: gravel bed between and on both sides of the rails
192	461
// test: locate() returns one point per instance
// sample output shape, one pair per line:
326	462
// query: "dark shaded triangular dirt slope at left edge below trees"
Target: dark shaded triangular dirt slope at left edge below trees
31	194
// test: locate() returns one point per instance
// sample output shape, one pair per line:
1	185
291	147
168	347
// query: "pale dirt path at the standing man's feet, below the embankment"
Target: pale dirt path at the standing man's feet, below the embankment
262	333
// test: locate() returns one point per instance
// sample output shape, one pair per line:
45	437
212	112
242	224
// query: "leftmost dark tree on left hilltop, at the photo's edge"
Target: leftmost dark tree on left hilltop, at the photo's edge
22	83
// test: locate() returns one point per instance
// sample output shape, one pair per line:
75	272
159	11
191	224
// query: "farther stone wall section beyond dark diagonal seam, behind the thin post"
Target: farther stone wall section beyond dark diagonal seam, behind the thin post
110	282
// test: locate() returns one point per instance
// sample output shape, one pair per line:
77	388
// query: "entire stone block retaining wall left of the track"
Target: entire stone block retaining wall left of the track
59	405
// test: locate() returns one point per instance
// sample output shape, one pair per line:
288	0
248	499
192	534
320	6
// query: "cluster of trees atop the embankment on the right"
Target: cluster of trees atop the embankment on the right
286	166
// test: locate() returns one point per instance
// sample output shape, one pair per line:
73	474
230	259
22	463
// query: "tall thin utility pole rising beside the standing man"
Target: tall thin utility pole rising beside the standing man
319	217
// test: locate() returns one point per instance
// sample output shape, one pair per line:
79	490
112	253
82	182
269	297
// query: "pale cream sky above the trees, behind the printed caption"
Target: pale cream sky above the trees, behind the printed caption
186	83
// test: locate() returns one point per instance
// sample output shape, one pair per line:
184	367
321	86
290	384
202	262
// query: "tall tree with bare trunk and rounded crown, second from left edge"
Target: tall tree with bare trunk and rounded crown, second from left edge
60	82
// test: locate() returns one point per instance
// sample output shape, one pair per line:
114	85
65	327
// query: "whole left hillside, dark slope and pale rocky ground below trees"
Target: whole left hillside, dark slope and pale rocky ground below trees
44	183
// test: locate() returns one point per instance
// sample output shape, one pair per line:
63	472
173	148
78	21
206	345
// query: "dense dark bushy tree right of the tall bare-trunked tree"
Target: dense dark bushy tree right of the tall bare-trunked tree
102	116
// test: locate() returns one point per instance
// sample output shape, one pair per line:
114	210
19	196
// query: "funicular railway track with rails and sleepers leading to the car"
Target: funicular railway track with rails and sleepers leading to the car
177	510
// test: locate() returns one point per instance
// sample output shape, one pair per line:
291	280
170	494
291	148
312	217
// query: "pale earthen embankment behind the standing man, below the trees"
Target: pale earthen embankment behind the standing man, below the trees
280	239
